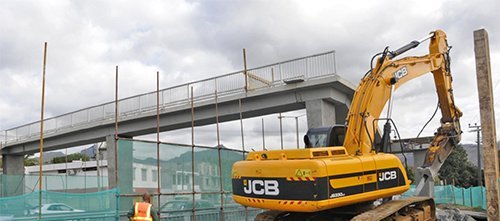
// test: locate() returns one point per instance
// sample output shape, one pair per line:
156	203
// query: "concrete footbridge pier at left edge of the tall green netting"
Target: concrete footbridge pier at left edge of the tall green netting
124	168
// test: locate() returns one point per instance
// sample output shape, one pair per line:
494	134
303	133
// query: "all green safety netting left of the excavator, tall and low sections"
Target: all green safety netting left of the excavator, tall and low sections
201	173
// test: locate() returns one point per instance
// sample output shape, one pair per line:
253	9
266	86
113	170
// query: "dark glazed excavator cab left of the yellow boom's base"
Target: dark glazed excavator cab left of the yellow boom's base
330	136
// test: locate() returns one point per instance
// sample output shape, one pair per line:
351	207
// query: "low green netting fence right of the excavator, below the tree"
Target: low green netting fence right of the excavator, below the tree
471	197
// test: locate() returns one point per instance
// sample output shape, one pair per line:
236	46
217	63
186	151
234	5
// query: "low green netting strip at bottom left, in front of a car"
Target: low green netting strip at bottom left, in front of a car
100	205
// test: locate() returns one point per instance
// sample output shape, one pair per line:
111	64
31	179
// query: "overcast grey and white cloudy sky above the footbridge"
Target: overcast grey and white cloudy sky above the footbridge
193	40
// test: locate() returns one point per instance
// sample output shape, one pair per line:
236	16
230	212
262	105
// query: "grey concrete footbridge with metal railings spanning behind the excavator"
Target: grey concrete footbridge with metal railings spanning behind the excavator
309	82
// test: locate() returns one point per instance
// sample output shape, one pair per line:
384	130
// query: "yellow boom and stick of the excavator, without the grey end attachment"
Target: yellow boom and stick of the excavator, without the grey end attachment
378	86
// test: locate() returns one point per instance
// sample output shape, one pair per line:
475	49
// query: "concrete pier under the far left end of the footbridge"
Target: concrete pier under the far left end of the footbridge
13	167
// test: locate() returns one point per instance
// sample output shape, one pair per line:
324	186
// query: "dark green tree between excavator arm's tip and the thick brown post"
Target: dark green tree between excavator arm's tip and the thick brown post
458	169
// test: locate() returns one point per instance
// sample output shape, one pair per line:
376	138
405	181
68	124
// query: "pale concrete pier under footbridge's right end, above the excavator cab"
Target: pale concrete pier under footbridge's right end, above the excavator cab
320	113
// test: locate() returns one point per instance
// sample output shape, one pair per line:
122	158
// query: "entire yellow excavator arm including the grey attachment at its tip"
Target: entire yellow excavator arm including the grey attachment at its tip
377	88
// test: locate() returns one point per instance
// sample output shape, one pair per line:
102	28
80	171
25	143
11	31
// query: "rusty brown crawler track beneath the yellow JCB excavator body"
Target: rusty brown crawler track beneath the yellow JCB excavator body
409	209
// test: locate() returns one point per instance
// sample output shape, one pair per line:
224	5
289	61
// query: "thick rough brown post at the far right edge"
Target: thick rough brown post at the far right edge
487	111
